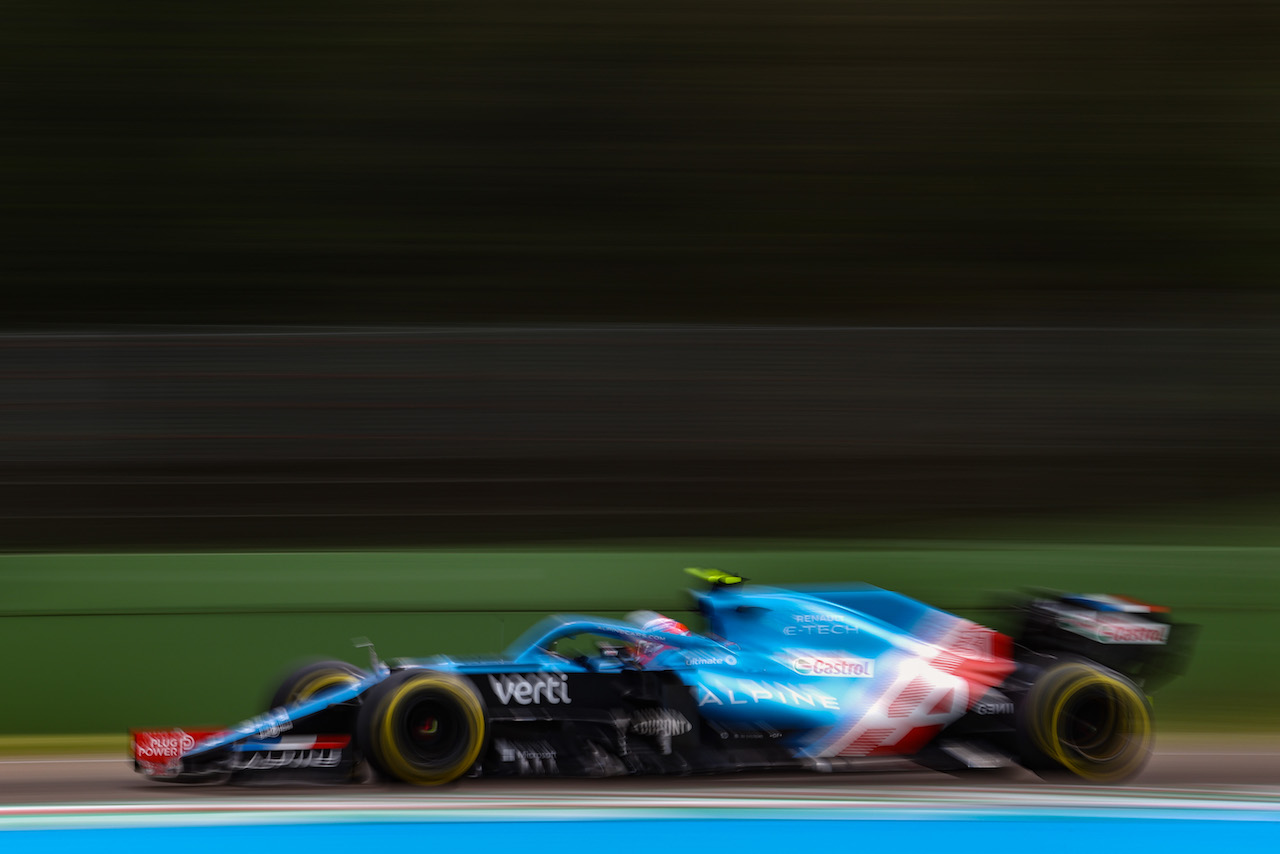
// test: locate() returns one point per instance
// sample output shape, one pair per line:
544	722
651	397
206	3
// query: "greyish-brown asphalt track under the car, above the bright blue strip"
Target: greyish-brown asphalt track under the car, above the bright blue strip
1181	769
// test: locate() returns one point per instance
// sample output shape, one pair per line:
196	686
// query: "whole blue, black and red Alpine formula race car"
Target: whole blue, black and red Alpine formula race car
783	679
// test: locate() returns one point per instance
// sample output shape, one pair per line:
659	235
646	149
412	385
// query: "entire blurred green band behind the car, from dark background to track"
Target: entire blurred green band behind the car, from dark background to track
99	643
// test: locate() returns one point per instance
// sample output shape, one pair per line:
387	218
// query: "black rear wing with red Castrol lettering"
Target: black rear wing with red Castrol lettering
1135	638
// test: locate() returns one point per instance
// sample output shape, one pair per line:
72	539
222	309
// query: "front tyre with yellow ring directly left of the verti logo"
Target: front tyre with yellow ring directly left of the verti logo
423	728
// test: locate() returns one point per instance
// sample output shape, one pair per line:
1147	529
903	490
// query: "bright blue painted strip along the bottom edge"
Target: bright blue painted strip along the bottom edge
764	837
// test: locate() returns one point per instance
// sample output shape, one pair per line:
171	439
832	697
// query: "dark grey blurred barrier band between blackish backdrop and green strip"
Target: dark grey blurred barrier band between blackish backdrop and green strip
241	439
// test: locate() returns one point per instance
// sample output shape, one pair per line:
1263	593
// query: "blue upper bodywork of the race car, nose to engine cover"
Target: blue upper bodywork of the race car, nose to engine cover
808	668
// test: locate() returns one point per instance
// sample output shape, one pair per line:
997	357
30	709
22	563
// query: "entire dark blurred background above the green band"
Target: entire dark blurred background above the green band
405	272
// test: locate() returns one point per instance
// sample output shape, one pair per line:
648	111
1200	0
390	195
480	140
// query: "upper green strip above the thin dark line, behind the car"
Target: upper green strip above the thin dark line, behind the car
949	574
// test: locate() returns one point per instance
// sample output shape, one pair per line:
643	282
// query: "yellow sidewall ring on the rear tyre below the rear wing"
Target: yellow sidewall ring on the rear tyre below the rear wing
1128	710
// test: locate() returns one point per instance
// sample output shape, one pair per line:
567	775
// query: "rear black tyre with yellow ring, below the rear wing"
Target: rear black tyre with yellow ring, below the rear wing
1089	721
